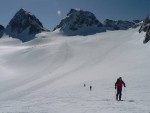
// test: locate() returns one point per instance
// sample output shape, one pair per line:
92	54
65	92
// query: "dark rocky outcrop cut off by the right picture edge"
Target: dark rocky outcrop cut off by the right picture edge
146	28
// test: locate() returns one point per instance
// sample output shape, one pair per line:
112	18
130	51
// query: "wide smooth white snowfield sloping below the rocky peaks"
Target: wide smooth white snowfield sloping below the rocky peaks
47	74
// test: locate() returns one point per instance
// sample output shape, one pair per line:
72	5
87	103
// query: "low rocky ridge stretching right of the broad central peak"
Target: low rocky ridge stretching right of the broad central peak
120	24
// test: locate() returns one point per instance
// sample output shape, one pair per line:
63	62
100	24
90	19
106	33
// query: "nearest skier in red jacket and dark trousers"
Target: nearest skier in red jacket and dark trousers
118	85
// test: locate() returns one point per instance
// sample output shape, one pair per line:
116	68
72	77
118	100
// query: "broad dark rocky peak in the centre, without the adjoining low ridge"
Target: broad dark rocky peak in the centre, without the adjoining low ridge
79	22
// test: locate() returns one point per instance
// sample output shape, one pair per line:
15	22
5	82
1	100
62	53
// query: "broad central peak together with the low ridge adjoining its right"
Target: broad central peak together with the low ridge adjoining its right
79	22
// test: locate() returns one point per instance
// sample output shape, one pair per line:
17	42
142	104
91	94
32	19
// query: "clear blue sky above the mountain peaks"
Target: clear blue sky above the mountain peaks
50	12
